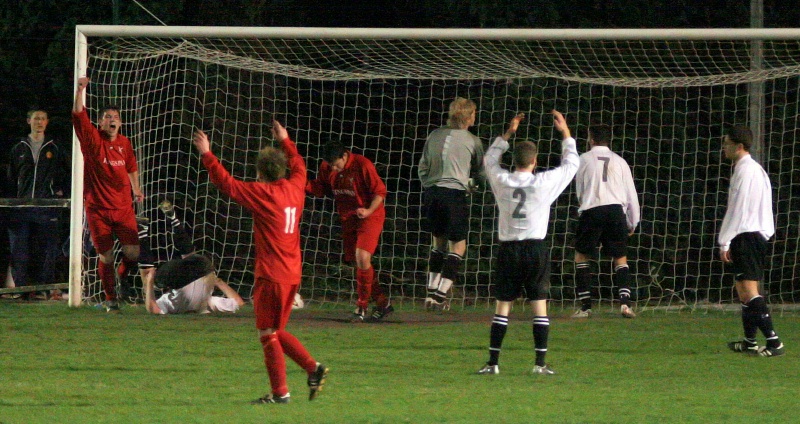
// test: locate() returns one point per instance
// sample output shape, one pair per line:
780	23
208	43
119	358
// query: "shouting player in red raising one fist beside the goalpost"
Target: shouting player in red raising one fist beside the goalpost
110	180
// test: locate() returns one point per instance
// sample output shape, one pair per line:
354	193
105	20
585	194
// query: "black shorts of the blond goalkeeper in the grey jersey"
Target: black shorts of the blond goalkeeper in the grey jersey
446	213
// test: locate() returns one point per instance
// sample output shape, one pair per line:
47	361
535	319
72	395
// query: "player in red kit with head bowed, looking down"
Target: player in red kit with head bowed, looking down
358	191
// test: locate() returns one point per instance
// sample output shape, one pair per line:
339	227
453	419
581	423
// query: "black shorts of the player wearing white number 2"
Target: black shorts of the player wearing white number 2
522	267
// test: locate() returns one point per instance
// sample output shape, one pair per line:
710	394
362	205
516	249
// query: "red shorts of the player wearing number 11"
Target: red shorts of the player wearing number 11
272	303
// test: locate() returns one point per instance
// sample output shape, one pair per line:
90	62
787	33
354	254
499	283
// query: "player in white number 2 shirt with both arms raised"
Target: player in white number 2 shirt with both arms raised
524	198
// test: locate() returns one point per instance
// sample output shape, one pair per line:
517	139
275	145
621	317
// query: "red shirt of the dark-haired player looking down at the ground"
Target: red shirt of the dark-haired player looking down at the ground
352	188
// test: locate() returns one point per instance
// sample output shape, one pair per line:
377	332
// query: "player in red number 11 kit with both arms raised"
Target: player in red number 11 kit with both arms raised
276	202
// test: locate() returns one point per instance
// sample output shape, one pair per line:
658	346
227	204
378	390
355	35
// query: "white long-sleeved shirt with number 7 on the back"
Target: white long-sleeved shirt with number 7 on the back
604	178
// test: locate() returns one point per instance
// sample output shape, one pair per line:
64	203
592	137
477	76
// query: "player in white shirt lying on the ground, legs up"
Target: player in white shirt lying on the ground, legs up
189	281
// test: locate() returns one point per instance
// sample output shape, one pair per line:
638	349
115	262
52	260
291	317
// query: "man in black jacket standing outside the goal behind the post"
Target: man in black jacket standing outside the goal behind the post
38	169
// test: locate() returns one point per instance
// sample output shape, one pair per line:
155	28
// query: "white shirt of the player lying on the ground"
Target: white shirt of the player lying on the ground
196	297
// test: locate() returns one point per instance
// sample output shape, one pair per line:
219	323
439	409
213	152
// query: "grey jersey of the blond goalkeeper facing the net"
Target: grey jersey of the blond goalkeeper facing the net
450	157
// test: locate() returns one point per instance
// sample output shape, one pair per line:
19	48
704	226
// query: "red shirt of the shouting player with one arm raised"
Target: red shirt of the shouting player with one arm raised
107	163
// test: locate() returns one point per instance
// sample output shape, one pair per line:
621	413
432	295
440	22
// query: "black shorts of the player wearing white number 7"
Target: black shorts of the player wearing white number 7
604	225
